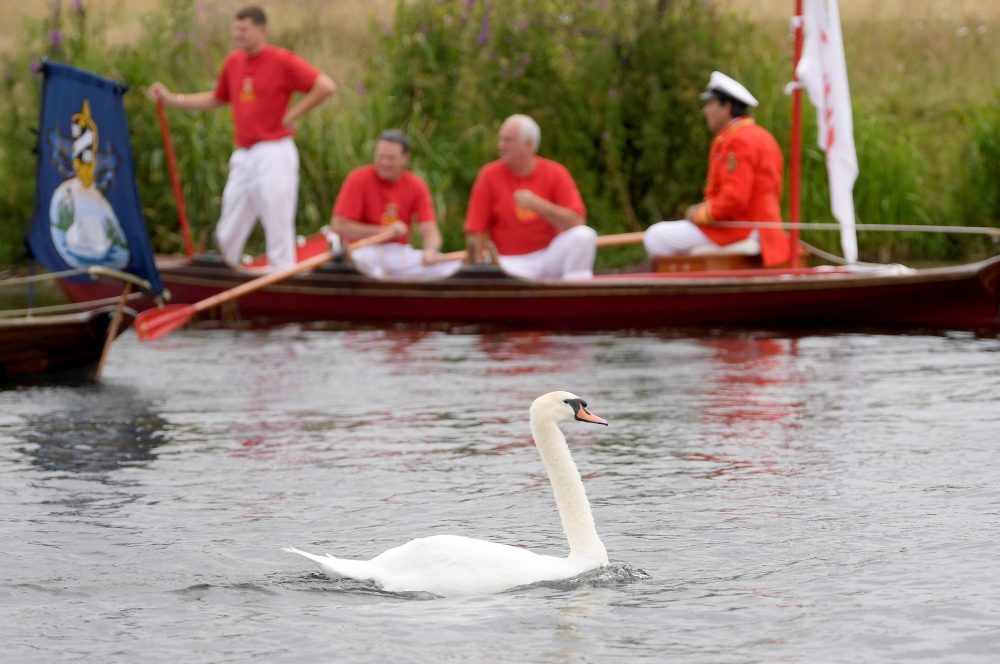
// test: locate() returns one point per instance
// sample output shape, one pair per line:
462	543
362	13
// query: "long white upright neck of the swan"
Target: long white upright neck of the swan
574	508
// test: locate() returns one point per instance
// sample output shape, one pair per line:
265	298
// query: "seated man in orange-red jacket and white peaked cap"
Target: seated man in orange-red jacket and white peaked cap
744	182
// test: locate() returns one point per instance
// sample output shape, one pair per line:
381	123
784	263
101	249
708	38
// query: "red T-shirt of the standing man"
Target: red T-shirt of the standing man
259	88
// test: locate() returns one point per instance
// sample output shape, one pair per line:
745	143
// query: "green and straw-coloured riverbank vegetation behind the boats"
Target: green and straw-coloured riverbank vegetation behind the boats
613	85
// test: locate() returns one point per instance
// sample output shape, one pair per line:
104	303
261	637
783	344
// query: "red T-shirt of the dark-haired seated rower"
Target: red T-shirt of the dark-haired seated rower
367	198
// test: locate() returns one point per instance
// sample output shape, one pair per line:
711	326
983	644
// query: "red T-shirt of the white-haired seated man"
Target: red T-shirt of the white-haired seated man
514	230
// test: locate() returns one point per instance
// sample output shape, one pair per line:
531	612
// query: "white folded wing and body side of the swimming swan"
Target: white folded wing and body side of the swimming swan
452	566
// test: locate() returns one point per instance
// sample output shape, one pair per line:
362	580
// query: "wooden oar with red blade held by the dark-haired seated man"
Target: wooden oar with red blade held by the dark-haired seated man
156	323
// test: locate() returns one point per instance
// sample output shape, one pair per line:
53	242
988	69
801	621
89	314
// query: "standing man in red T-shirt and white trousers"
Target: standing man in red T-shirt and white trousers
258	80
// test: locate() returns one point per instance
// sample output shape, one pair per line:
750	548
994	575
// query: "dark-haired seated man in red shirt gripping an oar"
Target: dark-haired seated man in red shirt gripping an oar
386	194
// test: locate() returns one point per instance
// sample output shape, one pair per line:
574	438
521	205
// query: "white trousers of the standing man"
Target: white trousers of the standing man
263	184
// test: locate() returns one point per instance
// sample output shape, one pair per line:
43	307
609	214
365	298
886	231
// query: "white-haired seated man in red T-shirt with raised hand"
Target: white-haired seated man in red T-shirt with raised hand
531	209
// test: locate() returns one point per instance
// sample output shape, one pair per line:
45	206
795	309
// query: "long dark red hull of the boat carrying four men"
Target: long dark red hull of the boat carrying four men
963	297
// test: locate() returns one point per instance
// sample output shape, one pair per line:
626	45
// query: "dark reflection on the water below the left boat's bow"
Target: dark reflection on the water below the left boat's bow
98	429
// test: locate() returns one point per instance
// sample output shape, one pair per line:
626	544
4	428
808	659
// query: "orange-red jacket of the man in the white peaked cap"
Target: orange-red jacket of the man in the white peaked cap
745	167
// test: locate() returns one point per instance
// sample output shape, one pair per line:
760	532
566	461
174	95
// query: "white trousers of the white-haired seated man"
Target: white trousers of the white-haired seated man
570	255
